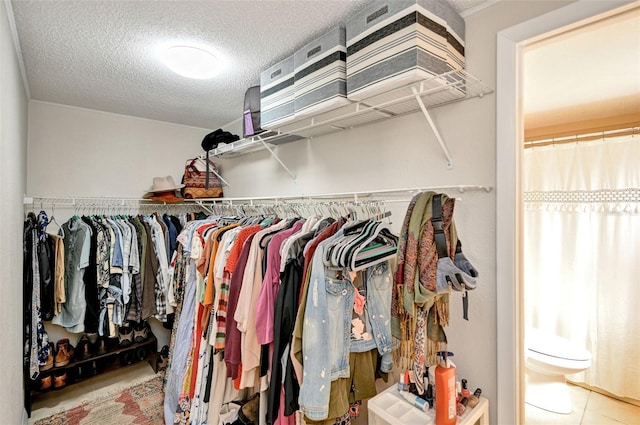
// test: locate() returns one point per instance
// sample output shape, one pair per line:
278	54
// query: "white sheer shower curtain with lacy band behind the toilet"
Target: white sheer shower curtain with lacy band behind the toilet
582	254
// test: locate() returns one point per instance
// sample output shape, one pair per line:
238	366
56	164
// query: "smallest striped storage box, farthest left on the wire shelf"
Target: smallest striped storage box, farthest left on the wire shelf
277	94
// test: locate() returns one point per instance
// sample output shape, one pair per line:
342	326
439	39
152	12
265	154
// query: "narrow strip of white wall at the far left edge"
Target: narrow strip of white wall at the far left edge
13	159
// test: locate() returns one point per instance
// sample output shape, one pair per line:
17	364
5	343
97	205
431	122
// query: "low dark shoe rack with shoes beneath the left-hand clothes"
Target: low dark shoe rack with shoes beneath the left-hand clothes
81	367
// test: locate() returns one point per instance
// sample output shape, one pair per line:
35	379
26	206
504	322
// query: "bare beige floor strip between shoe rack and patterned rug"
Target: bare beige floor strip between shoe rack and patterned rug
71	396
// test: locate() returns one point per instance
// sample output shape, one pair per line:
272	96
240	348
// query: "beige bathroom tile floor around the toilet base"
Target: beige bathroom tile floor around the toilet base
589	408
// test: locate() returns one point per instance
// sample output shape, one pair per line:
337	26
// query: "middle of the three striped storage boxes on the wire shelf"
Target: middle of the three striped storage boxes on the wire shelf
320	74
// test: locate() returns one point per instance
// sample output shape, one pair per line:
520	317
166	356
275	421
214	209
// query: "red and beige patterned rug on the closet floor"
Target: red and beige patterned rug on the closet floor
140	404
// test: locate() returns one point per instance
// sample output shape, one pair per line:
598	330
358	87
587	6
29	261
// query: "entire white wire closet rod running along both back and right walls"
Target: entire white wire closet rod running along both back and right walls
124	201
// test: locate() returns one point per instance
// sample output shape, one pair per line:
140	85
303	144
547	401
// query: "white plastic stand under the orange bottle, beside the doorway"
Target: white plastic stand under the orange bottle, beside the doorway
390	408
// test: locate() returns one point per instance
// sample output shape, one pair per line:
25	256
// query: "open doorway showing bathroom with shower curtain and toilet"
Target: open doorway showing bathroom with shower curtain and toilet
581	226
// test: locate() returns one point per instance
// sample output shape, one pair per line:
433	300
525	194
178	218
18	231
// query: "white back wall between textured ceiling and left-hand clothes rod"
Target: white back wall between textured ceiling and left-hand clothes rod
82	152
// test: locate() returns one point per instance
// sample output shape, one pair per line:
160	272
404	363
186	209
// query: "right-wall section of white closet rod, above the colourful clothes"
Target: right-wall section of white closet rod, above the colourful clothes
342	195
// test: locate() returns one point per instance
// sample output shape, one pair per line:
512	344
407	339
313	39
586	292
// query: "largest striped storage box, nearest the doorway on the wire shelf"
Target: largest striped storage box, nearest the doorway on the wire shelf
393	43
